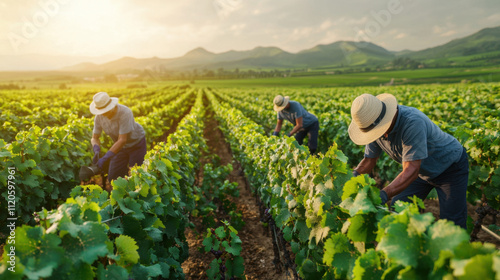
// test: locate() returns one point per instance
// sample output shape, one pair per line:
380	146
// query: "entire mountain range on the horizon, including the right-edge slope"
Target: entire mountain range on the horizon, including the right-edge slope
338	54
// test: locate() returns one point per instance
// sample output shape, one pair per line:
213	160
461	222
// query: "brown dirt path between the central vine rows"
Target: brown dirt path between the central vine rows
257	245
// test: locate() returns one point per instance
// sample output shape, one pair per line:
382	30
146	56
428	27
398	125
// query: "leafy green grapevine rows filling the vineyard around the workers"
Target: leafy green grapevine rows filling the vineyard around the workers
326	223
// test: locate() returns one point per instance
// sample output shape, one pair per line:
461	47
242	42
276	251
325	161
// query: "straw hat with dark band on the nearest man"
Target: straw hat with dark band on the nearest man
371	117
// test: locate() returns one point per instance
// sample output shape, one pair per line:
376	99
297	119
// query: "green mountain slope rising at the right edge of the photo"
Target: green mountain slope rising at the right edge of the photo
486	40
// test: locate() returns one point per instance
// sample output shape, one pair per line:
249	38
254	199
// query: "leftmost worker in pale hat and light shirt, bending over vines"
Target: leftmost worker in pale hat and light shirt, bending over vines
118	122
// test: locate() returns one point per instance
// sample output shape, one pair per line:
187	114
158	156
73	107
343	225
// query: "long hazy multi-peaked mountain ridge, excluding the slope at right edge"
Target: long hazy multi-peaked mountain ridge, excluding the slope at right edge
336	54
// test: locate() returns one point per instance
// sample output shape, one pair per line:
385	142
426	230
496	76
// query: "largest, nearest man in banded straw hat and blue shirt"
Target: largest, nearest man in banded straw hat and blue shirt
430	157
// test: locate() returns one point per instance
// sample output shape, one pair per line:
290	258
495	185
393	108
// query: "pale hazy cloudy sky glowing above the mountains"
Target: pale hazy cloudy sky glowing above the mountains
168	28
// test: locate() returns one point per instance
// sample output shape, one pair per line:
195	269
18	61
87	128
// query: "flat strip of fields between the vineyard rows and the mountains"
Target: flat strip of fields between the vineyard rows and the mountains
55	79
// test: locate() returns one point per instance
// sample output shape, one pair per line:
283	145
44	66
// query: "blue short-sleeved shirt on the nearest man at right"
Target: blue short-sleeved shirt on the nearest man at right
416	137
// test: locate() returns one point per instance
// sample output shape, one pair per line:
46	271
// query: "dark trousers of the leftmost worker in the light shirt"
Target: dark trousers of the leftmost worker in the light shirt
126	158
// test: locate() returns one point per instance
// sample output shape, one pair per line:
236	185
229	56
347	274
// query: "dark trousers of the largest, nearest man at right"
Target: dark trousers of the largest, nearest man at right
451	187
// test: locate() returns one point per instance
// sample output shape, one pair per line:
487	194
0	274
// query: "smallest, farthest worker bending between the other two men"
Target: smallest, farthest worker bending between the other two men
303	121
